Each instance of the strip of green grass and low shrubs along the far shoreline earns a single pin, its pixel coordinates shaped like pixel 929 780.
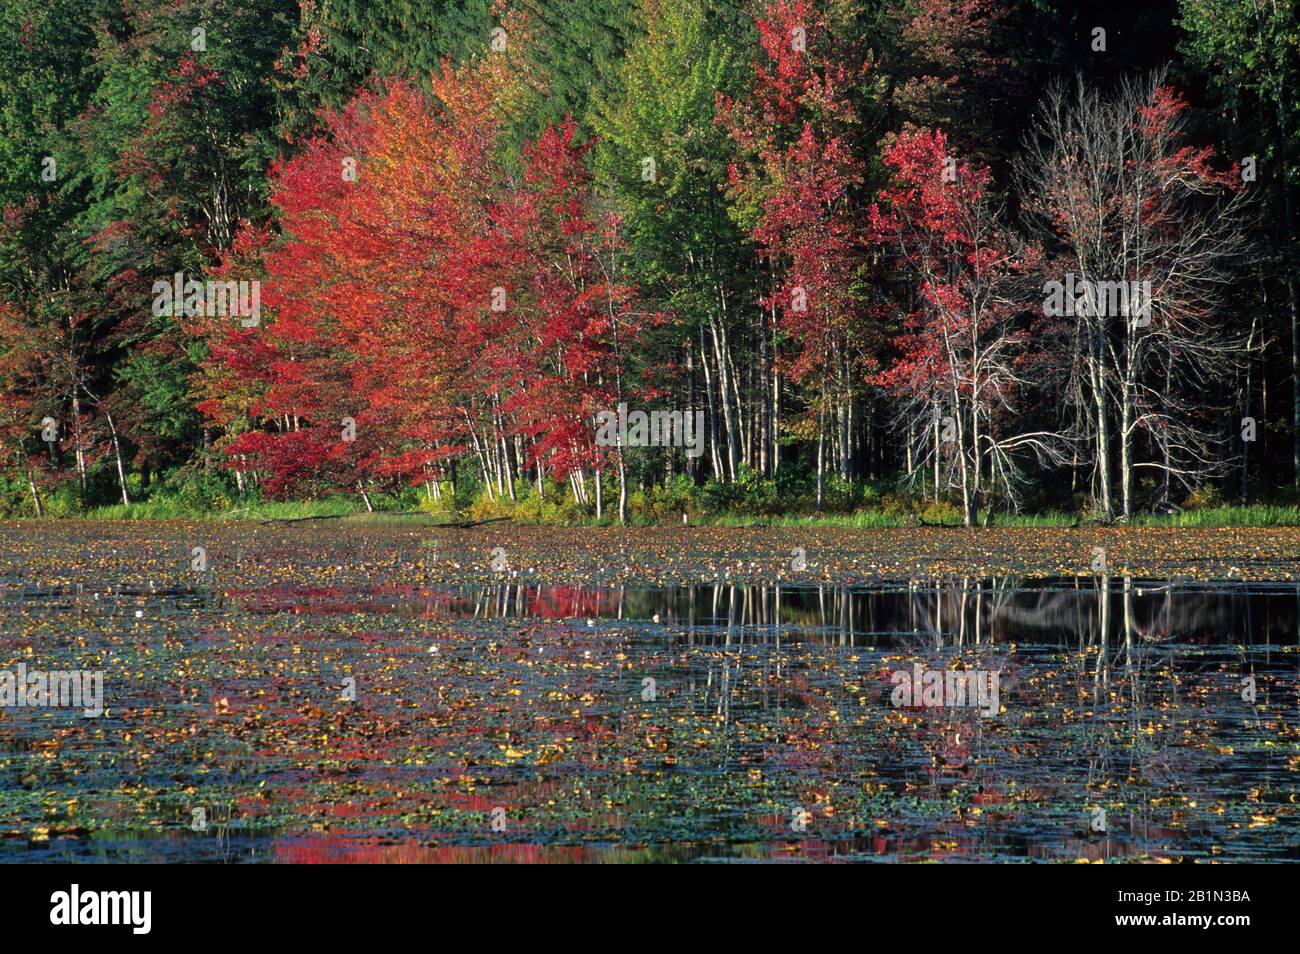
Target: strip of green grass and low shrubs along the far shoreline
pixel 751 501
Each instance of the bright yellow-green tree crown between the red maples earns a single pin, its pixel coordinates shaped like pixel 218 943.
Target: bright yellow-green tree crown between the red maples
pixel 686 249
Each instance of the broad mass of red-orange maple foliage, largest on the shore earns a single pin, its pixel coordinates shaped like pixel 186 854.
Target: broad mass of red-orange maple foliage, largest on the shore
pixel 434 300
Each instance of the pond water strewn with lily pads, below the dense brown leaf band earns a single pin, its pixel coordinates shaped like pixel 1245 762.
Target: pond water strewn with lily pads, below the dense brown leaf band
pixel 1171 706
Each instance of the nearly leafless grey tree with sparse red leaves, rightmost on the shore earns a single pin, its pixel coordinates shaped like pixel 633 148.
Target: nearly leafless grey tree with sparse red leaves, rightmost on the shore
pixel 1146 240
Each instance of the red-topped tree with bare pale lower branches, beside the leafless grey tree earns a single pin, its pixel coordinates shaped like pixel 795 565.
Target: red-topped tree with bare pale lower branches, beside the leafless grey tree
pixel 968 358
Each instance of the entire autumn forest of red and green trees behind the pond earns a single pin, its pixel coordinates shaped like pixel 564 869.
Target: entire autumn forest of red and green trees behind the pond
pixel 942 261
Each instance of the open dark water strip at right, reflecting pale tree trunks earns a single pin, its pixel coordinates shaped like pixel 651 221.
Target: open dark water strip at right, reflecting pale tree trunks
pixel 1058 612
